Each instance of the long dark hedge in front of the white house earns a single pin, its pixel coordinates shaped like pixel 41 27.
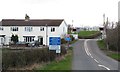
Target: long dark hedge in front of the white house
pixel 21 58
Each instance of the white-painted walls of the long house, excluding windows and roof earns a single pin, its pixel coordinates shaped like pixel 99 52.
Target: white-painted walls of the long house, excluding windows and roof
pixel 35 32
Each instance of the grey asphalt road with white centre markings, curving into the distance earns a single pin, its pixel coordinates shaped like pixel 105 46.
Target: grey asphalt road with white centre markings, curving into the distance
pixel 87 56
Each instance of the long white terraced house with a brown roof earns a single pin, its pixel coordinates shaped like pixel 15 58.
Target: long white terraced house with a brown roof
pixel 29 30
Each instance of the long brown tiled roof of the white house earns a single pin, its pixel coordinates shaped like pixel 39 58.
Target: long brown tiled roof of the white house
pixel 39 22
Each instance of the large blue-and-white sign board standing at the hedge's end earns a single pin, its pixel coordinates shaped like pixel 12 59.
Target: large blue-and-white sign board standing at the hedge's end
pixel 54 44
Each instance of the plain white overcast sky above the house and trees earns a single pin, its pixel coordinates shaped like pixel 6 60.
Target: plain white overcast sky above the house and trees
pixel 75 12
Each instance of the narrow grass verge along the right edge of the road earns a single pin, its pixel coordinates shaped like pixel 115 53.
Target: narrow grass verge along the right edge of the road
pixel 112 54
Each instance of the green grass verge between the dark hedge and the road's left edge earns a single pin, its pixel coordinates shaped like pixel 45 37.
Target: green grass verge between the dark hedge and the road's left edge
pixel 64 64
